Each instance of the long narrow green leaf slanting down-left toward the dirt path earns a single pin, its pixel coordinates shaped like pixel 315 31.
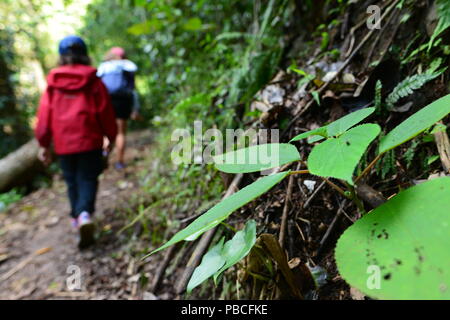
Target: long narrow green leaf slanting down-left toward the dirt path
pixel 223 209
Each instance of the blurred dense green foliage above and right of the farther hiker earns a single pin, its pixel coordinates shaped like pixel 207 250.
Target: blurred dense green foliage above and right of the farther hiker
pixel 197 58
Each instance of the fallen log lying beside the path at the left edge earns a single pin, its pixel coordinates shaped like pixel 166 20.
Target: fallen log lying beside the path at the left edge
pixel 17 167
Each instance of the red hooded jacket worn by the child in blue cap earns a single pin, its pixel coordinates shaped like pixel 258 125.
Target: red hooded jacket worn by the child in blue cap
pixel 75 111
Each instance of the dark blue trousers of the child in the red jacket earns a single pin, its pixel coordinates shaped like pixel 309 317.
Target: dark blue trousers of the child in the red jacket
pixel 81 171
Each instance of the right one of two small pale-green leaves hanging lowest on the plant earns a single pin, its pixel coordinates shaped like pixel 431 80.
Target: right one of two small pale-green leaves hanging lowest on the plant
pixel 238 247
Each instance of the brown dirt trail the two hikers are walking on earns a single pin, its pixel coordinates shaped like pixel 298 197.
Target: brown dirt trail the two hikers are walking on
pixel 38 246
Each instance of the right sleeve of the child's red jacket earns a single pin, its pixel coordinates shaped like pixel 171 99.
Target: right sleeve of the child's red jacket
pixel 106 114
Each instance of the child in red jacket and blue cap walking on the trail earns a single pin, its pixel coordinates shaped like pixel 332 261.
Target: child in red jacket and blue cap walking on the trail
pixel 75 113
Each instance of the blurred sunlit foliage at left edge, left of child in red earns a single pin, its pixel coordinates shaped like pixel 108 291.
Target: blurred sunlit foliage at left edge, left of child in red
pixel 27 52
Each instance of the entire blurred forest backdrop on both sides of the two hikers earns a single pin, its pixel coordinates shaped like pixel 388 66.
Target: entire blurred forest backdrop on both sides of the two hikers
pixel 191 55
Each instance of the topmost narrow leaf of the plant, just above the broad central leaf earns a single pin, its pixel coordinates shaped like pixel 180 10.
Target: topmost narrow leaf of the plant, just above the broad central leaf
pixel 339 126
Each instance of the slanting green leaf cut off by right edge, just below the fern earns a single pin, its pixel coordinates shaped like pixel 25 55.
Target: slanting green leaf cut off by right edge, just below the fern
pixel 416 124
